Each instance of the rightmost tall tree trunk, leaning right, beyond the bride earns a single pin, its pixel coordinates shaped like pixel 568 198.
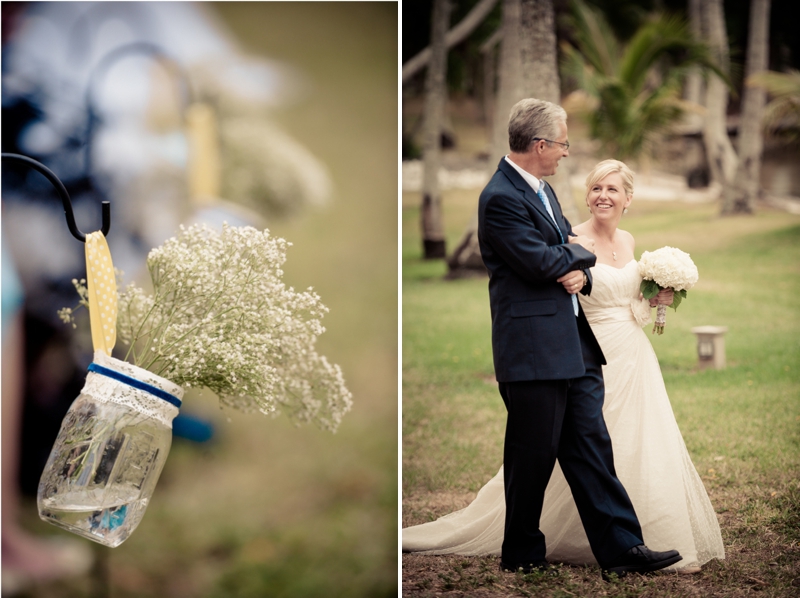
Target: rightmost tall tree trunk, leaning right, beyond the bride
pixel 740 194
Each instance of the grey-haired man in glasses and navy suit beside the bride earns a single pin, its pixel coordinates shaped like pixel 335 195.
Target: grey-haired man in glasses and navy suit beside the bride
pixel 546 358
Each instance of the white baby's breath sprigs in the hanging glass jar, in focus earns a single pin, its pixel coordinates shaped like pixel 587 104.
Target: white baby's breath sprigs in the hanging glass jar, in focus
pixel 220 317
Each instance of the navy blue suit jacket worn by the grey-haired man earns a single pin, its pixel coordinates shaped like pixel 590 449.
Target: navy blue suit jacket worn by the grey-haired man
pixel 535 334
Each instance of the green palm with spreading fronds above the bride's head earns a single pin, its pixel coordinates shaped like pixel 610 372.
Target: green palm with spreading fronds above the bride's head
pixel 630 94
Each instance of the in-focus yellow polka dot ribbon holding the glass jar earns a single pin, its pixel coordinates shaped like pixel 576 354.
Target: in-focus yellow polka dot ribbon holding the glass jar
pixel 102 286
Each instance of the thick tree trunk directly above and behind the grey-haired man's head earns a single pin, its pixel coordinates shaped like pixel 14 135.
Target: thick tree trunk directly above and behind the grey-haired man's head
pixel 540 79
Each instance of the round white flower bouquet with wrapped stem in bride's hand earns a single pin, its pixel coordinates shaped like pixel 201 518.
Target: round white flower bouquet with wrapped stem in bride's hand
pixel 666 268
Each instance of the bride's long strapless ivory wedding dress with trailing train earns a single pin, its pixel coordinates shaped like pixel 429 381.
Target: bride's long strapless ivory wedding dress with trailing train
pixel 649 454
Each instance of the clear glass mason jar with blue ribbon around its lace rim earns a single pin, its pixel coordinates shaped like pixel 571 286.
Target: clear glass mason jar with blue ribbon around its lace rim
pixel 110 451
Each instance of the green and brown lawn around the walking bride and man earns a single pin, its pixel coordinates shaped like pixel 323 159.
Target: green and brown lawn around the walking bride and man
pixel 741 425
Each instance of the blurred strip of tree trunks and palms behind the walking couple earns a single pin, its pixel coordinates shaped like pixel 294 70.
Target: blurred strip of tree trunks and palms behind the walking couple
pixel 674 87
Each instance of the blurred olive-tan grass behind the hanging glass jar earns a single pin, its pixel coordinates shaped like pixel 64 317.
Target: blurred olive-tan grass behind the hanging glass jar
pixel 269 509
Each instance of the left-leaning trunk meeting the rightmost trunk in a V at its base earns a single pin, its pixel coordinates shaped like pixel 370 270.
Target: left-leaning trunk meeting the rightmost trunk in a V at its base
pixel 722 158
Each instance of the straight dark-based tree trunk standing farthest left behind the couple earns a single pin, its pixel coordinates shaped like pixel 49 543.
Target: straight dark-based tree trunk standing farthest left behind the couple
pixel 433 243
